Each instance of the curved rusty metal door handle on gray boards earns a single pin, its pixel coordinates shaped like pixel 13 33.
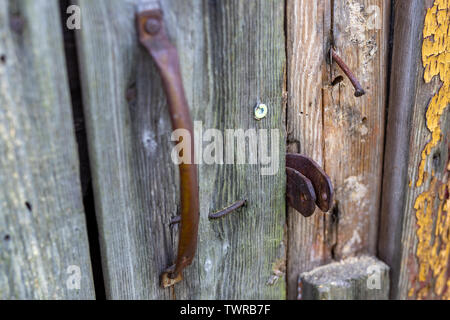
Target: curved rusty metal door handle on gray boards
pixel 154 38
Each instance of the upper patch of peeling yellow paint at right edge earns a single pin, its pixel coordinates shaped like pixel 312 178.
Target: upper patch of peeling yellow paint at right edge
pixel 436 61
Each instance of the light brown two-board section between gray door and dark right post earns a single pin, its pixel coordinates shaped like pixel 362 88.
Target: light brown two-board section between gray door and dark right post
pixel 343 133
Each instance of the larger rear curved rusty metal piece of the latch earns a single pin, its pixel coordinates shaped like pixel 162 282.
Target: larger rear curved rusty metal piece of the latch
pixel 319 179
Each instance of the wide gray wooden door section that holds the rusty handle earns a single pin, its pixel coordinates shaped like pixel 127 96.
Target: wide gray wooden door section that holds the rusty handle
pixel 232 56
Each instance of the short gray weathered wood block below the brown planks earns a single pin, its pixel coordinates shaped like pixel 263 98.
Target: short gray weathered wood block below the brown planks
pixel 358 278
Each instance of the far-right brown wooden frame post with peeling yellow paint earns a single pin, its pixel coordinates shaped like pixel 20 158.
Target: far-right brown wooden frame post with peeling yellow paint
pixel 418 254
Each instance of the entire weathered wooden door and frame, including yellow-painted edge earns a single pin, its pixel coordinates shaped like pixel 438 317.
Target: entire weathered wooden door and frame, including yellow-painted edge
pixel 110 234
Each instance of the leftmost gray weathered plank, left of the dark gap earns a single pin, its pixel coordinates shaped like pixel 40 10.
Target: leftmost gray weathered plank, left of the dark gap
pixel 42 222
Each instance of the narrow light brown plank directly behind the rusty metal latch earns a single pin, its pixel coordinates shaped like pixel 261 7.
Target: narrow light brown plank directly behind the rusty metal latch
pixel 308 27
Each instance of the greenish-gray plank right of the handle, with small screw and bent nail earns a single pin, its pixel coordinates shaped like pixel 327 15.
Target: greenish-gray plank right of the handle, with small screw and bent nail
pixel 246 60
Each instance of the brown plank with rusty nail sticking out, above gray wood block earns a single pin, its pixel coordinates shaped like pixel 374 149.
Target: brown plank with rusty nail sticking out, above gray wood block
pixel 355 126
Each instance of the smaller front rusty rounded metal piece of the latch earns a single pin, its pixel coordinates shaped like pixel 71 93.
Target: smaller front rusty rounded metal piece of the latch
pixel 300 192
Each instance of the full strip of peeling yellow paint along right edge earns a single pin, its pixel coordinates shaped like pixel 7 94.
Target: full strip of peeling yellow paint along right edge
pixel 433 206
